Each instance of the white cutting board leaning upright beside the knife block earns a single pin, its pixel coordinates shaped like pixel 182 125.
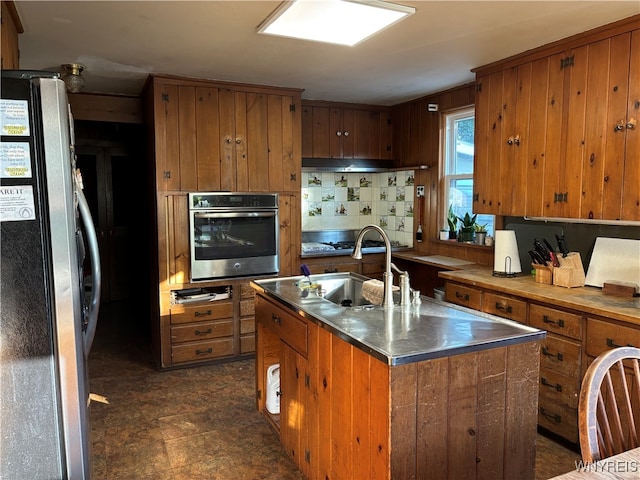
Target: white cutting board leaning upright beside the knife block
pixel 614 259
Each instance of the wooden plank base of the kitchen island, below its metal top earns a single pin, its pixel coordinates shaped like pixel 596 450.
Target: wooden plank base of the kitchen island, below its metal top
pixel 346 414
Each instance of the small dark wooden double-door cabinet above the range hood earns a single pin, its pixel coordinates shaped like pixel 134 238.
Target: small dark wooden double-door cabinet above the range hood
pixel 334 131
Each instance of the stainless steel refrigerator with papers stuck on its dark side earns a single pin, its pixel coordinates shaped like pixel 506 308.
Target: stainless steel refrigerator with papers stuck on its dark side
pixel 49 292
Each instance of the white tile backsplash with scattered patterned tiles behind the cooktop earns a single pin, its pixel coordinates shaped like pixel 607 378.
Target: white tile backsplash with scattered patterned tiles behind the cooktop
pixel 349 201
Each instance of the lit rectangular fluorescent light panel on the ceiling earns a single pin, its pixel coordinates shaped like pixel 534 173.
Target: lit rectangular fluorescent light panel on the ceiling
pixel 345 22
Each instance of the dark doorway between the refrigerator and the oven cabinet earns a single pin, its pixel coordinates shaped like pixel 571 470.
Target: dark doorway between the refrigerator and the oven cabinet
pixel 113 168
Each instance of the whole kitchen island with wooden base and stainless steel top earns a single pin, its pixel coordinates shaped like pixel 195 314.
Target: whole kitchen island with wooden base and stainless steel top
pixel 417 391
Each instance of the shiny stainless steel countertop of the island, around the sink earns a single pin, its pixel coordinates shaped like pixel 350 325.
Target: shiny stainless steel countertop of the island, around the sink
pixel 402 335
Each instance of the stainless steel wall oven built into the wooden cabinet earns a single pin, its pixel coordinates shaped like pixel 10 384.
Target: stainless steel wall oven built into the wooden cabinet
pixel 233 234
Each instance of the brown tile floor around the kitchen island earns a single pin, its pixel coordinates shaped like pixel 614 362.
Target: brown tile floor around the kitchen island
pixel 195 423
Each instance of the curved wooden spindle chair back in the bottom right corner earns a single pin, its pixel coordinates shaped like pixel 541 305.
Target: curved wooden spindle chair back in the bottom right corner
pixel 609 406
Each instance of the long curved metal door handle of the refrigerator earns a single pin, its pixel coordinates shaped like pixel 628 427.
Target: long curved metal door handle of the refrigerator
pixel 96 277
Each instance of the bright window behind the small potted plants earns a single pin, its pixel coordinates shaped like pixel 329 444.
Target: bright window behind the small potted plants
pixel 458 166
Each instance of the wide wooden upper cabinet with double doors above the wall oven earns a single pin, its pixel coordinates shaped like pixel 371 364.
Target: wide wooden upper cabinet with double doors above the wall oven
pixel 210 136
